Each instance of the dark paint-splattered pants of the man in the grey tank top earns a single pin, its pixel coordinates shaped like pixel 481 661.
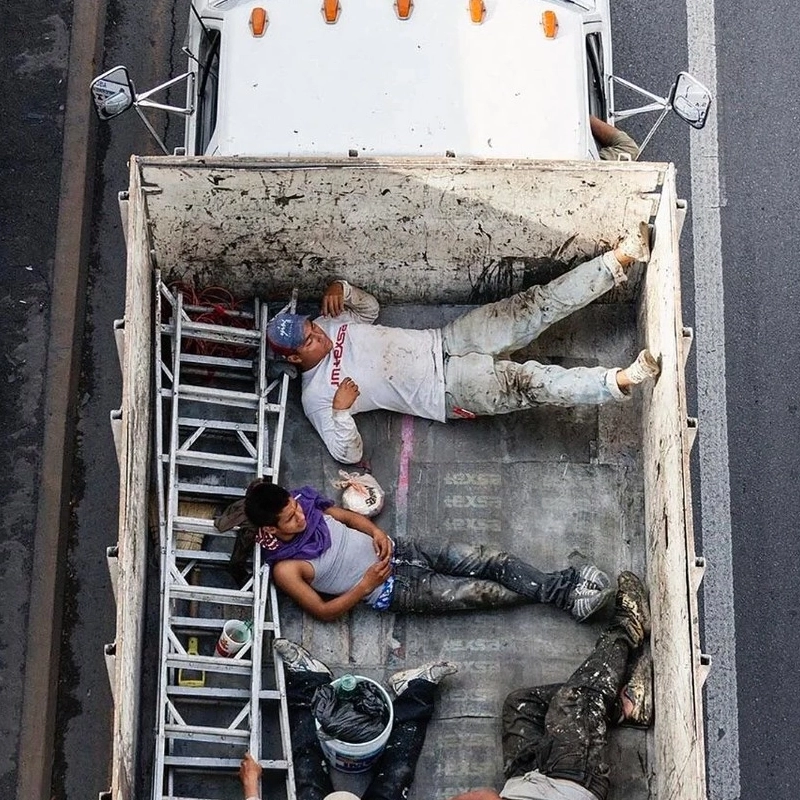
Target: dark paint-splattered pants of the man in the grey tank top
pixel 461 577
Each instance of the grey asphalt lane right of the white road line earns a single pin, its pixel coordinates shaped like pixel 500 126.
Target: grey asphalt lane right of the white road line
pixel 759 209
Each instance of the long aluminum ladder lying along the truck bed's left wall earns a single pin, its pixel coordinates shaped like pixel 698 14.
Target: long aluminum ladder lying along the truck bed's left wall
pixel 211 441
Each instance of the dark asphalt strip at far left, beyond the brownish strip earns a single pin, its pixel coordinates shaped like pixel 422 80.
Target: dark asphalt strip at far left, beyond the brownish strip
pixel 32 91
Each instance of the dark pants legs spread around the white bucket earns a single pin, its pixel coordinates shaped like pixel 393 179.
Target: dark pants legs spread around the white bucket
pixel 394 772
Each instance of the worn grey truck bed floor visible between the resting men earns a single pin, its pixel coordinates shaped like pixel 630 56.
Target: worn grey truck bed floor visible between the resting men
pixel 556 486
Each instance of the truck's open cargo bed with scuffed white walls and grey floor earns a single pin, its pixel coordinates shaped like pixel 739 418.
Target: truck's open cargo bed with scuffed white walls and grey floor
pixel 607 485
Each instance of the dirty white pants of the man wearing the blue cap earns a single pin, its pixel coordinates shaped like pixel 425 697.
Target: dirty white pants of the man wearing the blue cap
pixel 478 382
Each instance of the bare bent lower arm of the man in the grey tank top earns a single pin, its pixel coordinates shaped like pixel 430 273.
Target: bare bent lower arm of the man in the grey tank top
pixel 294 577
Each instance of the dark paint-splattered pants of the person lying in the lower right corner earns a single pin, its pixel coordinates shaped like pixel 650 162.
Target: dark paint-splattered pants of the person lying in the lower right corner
pixel 561 730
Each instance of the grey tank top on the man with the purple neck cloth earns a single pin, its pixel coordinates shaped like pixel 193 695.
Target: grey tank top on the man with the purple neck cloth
pixel 344 563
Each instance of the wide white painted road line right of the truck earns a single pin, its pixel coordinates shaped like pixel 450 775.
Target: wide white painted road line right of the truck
pixel 722 730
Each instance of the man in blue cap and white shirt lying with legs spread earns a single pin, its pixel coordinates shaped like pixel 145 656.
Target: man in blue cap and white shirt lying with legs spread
pixel 349 365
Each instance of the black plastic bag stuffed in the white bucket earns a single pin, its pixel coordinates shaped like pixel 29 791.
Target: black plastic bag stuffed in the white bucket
pixel 356 718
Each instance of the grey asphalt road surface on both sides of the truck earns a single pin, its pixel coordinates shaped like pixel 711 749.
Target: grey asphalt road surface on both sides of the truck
pixel 753 416
